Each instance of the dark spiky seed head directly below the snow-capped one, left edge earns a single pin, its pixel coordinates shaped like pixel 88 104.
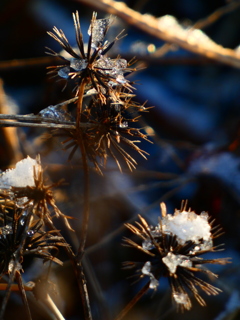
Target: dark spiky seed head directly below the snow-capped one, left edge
pixel 20 237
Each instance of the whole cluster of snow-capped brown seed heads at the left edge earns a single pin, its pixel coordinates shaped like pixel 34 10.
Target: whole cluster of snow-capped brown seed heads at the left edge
pixel 25 203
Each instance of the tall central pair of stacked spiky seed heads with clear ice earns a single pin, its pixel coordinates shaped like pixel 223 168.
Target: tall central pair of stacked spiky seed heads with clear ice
pixel 103 125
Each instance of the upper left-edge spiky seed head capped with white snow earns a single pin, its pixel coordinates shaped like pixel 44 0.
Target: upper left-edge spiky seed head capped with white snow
pixel 25 186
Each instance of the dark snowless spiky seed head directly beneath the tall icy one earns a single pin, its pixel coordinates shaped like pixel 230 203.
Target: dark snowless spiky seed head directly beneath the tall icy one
pixel 107 133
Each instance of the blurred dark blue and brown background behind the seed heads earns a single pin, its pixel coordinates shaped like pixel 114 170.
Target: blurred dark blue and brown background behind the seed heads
pixel 195 154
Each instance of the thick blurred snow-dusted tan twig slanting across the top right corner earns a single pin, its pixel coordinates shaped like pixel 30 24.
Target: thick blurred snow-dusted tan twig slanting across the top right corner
pixel 171 33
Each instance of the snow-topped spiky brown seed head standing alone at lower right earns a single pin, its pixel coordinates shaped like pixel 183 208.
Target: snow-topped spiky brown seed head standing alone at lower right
pixel 174 249
